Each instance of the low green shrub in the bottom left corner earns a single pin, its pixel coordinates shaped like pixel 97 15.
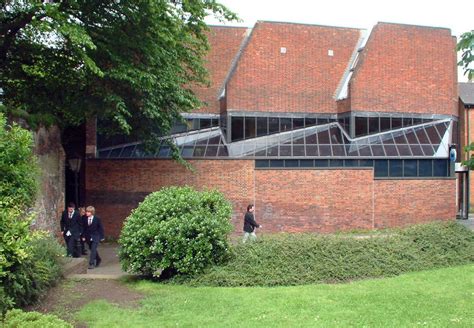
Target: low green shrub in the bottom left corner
pixel 17 318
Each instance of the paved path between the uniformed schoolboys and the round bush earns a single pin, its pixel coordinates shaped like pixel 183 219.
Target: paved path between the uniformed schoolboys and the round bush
pixel 109 267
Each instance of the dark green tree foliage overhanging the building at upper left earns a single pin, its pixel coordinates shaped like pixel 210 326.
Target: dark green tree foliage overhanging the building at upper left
pixel 130 62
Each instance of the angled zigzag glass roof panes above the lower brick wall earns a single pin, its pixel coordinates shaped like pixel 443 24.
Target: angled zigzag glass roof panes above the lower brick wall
pixel 427 140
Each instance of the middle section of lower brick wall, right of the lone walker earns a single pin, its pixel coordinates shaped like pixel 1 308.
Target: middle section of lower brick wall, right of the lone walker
pixel 314 200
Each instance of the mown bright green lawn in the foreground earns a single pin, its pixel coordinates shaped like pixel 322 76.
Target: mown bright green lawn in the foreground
pixel 437 298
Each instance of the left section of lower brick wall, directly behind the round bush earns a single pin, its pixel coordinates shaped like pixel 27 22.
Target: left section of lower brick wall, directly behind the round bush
pixel 115 187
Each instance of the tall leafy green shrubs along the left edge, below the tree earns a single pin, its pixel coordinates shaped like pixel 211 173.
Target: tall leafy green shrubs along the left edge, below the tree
pixel 28 263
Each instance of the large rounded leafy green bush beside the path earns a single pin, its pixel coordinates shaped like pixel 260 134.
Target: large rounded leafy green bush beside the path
pixel 178 230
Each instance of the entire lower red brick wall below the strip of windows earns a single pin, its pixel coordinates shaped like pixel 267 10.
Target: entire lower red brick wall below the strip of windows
pixel 286 200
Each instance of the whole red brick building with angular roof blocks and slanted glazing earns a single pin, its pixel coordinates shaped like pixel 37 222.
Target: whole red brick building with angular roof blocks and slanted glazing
pixel 322 128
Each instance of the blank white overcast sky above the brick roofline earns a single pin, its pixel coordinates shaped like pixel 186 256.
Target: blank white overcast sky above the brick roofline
pixel 456 15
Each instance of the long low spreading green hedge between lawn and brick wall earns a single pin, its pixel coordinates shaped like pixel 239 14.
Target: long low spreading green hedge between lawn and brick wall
pixel 297 259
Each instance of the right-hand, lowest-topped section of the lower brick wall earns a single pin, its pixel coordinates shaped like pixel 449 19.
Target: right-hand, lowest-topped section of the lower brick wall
pixel 403 202
